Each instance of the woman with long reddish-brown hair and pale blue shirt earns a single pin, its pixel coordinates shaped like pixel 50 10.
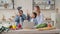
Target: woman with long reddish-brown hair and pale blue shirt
pixel 39 15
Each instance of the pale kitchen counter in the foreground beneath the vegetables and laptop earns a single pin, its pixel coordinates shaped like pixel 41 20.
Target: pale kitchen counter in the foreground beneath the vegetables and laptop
pixel 32 31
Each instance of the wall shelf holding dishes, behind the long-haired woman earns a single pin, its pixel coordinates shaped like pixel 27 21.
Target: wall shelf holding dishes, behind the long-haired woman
pixel 44 6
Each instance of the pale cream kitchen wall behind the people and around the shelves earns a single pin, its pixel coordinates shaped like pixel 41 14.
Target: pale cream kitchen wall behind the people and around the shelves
pixel 26 4
